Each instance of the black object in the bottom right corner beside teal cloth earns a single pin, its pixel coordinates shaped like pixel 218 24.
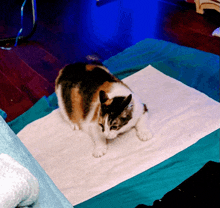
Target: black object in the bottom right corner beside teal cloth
pixel 200 190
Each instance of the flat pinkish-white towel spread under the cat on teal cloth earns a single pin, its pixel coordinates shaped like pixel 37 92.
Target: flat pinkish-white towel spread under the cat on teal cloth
pixel 178 116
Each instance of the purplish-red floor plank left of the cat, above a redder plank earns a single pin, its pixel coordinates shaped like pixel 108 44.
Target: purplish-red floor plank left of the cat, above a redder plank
pixel 23 76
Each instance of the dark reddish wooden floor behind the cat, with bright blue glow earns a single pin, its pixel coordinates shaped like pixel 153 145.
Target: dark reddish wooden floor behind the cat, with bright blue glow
pixel 69 30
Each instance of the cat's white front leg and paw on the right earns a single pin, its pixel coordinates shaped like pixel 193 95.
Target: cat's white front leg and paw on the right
pixel 142 130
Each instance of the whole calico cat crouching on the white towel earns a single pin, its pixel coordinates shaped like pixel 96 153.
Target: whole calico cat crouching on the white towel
pixel 91 99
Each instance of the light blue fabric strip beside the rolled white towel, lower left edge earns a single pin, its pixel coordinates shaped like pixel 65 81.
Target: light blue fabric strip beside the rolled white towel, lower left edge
pixel 10 144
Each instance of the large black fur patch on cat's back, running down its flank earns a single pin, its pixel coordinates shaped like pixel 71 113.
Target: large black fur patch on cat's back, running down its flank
pixel 87 81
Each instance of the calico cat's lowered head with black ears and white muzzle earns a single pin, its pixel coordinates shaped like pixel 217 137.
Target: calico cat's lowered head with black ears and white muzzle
pixel 114 114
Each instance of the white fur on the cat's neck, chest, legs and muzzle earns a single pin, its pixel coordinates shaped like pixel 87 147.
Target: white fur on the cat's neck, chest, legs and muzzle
pixel 93 129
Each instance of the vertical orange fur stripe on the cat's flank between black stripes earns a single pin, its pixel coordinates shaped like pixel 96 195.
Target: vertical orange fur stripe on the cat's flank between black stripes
pixel 77 109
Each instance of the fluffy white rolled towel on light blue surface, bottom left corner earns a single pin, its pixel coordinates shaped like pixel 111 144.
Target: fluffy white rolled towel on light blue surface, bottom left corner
pixel 18 187
